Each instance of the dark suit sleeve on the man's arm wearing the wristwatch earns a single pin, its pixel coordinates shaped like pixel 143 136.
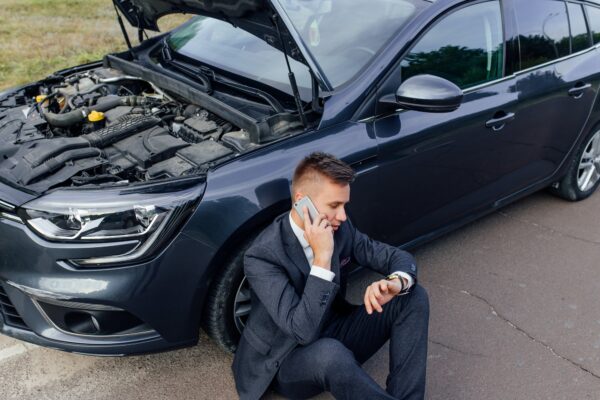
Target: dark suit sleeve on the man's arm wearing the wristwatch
pixel 380 257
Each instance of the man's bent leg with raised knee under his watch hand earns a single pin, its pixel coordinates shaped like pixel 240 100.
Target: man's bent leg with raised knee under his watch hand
pixel 405 322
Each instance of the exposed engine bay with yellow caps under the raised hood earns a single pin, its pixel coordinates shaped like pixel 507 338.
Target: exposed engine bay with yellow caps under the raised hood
pixel 103 126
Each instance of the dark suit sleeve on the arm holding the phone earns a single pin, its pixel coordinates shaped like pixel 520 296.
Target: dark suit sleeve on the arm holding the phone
pixel 301 317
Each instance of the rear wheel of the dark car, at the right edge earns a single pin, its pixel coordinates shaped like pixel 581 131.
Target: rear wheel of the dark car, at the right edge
pixel 583 176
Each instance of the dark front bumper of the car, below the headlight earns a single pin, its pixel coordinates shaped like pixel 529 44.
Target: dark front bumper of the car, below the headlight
pixel 165 294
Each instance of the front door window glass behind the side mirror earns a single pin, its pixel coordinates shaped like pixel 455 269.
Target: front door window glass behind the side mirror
pixel 466 47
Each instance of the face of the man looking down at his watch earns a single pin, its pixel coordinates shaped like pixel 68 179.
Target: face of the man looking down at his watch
pixel 329 198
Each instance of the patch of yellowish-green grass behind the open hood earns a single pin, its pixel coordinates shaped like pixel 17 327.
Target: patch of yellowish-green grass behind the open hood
pixel 38 37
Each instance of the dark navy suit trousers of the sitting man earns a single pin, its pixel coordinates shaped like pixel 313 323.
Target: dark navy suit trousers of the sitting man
pixel 333 362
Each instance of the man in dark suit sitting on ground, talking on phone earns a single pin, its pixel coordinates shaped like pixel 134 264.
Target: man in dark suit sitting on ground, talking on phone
pixel 301 334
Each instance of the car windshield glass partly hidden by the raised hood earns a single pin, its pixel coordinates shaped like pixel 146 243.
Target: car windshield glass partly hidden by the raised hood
pixel 342 36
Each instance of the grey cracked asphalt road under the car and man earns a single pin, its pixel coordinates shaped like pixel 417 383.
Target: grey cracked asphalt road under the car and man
pixel 514 315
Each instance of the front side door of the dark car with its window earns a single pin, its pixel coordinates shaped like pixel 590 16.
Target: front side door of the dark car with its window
pixel 438 168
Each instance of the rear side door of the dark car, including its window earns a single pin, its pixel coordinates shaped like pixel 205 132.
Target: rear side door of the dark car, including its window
pixel 556 83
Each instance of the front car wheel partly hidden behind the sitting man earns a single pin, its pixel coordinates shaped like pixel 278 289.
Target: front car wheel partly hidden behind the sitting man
pixel 228 304
